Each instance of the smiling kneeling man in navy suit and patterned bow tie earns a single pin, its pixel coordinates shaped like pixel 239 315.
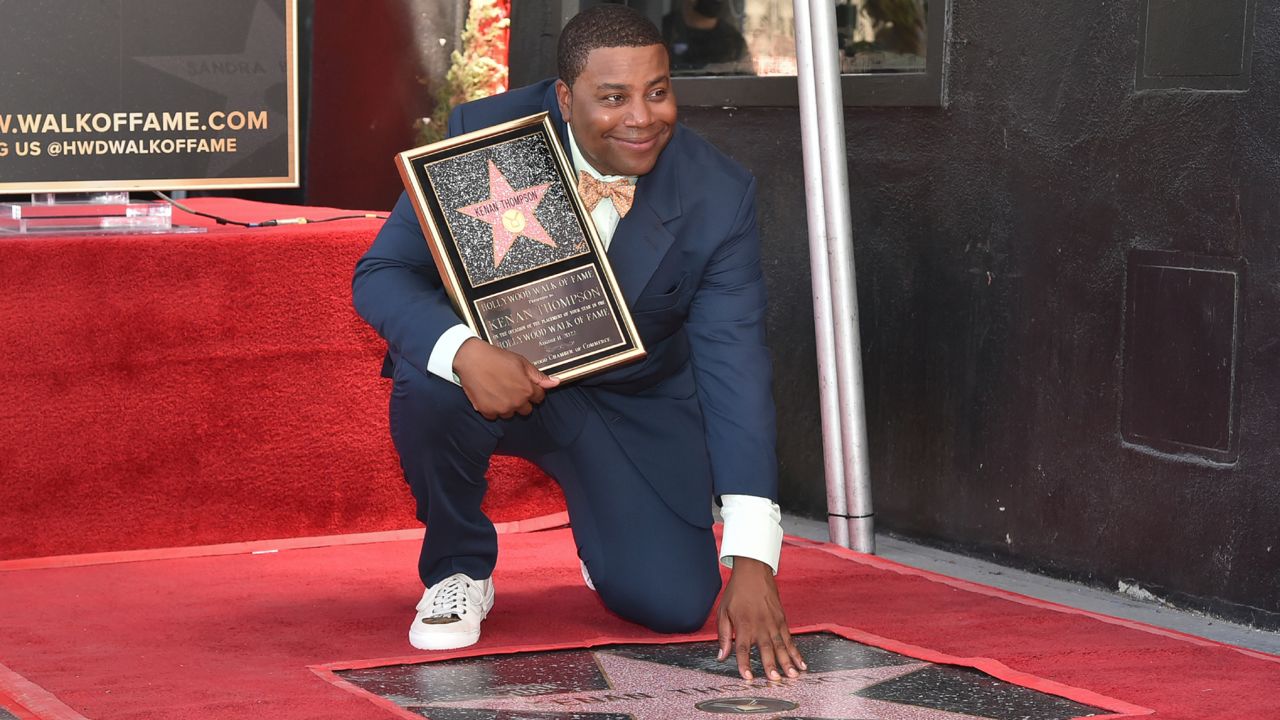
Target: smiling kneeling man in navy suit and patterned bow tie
pixel 641 450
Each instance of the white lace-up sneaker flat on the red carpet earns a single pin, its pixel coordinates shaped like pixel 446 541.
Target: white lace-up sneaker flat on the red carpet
pixel 450 613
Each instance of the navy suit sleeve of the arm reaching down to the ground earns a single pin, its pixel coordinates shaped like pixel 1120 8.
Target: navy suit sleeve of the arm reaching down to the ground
pixel 732 363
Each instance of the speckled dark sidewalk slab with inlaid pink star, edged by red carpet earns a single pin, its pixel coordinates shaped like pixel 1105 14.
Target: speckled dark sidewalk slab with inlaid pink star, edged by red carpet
pixel 847 681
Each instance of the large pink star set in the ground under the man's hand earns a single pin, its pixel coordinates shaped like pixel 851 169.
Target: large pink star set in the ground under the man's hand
pixel 651 691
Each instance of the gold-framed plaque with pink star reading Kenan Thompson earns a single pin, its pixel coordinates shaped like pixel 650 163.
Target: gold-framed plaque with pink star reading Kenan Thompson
pixel 516 248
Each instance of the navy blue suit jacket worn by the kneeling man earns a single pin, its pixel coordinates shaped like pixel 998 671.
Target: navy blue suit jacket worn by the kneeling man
pixel 697 414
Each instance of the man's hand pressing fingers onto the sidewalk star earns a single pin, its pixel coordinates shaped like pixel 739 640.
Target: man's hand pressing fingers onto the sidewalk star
pixel 751 614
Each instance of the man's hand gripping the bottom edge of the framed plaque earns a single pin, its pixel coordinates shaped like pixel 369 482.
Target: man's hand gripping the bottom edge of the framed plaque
pixel 499 382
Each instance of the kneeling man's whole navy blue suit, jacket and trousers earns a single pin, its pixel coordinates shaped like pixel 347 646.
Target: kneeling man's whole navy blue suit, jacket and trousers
pixel 641 450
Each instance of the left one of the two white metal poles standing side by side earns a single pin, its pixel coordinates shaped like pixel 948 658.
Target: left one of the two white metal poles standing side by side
pixel 825 334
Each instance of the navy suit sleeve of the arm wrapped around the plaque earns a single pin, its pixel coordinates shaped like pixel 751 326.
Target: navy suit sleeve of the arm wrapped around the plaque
pixel 397 288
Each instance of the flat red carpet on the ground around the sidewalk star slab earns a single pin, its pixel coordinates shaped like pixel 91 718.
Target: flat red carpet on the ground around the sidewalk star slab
pixel 234 636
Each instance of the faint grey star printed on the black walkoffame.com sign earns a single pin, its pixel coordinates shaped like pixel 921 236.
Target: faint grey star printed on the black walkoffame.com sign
pixel 243 79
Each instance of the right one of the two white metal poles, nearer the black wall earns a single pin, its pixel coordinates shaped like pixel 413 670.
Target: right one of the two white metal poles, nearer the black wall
pixel 849 358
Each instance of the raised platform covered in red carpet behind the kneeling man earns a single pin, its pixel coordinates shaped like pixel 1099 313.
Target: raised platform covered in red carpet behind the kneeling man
pixel 200 389
